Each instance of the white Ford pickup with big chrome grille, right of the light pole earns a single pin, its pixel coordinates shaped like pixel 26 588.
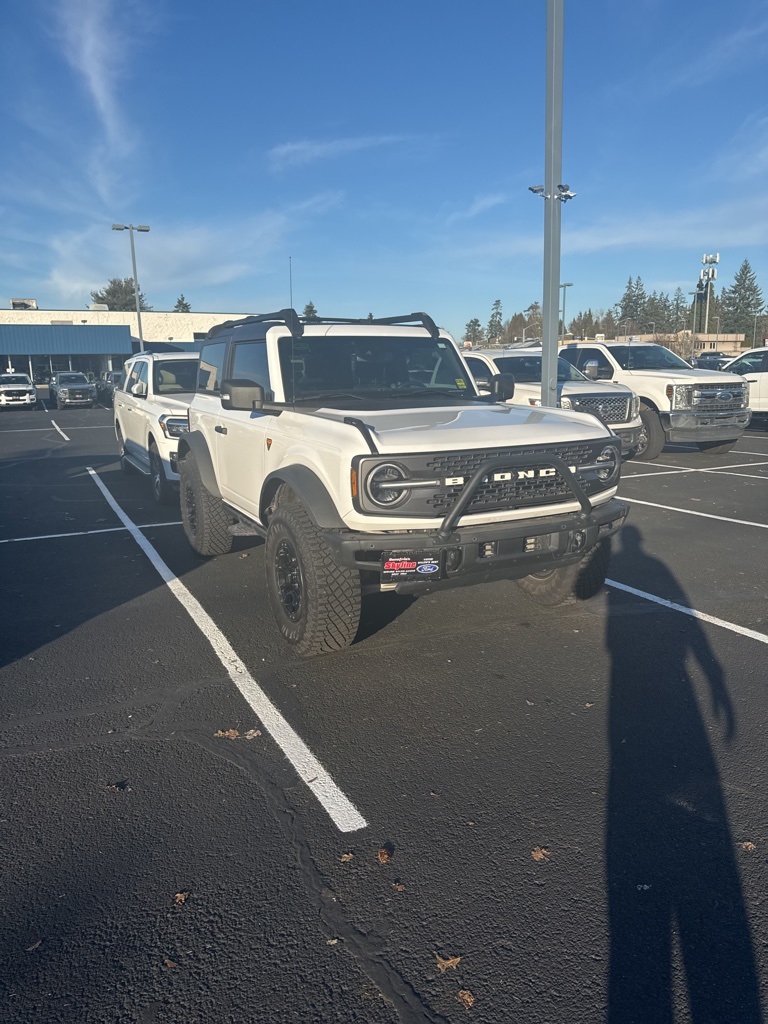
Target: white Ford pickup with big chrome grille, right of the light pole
pixel 677 403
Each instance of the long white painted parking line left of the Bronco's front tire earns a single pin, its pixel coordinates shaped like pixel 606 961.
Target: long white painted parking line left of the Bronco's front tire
pixel 344 814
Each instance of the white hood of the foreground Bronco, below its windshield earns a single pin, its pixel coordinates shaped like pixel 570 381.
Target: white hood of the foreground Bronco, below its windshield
pixel 452 429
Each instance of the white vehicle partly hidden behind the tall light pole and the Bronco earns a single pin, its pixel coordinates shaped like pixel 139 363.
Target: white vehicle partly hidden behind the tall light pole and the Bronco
pixel 614 404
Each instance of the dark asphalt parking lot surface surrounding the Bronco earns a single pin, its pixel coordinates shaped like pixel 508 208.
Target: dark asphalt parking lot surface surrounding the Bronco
pixel 482 812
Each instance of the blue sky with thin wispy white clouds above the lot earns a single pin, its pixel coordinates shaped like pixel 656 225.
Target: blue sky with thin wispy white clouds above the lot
pixel 386 149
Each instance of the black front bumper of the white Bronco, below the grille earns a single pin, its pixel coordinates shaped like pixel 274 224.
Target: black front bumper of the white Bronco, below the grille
pixel 483 554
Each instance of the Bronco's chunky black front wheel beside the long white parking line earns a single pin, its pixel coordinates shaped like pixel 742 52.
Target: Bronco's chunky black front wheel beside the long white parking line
pixel 316 603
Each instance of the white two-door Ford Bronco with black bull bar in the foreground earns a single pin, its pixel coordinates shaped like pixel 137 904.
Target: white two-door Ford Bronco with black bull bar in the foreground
pixel 365 456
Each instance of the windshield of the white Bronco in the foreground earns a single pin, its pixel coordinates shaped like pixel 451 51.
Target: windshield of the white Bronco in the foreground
pixel 361 367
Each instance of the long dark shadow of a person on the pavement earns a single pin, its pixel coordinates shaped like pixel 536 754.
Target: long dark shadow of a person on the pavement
pixel 672 875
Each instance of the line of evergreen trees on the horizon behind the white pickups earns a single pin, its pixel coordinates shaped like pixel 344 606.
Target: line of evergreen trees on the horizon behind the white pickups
pixel 733 312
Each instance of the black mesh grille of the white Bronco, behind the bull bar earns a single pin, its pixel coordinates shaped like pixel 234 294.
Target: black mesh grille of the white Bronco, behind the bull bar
pixel 495 495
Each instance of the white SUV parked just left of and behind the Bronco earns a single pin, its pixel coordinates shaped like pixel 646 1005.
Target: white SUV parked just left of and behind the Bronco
pixel 151 415
